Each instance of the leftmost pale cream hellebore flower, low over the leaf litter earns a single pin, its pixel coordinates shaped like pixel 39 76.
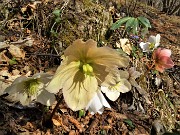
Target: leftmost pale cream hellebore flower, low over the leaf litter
pixel 28 89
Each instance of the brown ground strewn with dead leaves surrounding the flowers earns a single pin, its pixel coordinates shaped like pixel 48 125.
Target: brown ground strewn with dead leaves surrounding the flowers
pixel 34 28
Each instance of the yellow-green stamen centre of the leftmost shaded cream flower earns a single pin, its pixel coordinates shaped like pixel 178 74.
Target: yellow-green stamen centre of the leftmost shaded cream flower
pixel 31 86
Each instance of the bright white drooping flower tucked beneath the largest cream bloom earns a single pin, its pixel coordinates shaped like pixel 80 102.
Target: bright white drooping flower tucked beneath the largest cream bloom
pixel 97 103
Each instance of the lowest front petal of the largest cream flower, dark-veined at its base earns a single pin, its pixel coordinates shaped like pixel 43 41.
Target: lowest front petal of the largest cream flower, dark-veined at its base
pixel 79 90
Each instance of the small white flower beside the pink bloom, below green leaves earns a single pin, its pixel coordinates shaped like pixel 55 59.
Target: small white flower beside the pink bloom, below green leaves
pixel 153 42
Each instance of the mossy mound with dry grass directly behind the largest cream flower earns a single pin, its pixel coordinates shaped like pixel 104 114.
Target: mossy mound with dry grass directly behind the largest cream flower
pixel 88 21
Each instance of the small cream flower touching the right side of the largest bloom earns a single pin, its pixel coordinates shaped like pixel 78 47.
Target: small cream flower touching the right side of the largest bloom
pixel 115 83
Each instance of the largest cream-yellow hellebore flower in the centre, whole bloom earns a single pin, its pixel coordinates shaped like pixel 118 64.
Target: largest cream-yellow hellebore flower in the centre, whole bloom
pixel 84 67
